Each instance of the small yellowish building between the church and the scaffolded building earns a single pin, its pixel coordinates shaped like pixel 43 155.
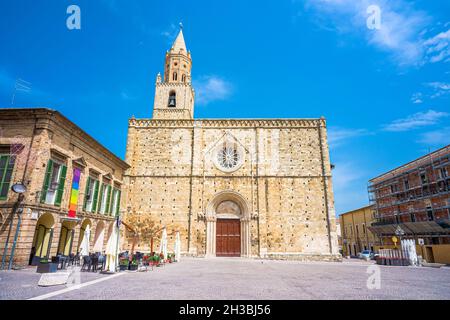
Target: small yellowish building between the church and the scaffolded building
pixel 355 232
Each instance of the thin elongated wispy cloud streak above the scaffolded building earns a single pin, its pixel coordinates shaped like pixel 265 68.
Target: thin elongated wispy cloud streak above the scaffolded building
pixel 417 120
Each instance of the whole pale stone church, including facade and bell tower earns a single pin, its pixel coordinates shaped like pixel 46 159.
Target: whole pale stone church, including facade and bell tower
pixel 231 187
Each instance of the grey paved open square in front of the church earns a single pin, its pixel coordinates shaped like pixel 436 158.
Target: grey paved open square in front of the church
pixel 237 278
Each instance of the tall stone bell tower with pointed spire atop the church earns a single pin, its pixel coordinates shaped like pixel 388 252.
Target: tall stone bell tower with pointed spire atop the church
pixel 174 95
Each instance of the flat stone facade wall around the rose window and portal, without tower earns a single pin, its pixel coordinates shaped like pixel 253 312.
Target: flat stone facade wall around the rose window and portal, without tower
pixel 285 179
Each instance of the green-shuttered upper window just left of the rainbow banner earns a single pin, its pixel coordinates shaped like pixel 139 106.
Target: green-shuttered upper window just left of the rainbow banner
pixel 53 188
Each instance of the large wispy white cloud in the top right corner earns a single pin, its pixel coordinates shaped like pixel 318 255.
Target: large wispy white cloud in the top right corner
pixel 403 31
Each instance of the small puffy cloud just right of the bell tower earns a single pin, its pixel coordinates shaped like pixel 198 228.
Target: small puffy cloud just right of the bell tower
pixel 211 88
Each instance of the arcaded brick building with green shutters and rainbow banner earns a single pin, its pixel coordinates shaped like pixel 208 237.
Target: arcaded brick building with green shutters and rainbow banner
pixel 73 184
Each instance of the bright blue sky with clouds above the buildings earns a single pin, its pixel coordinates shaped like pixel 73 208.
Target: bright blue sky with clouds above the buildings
pixel 385 93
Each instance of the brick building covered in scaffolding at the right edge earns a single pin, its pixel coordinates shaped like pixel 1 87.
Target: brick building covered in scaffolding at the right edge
pixel 413 201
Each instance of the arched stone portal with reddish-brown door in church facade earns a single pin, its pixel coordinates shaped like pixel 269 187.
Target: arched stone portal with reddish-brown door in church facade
pixel 228 226
